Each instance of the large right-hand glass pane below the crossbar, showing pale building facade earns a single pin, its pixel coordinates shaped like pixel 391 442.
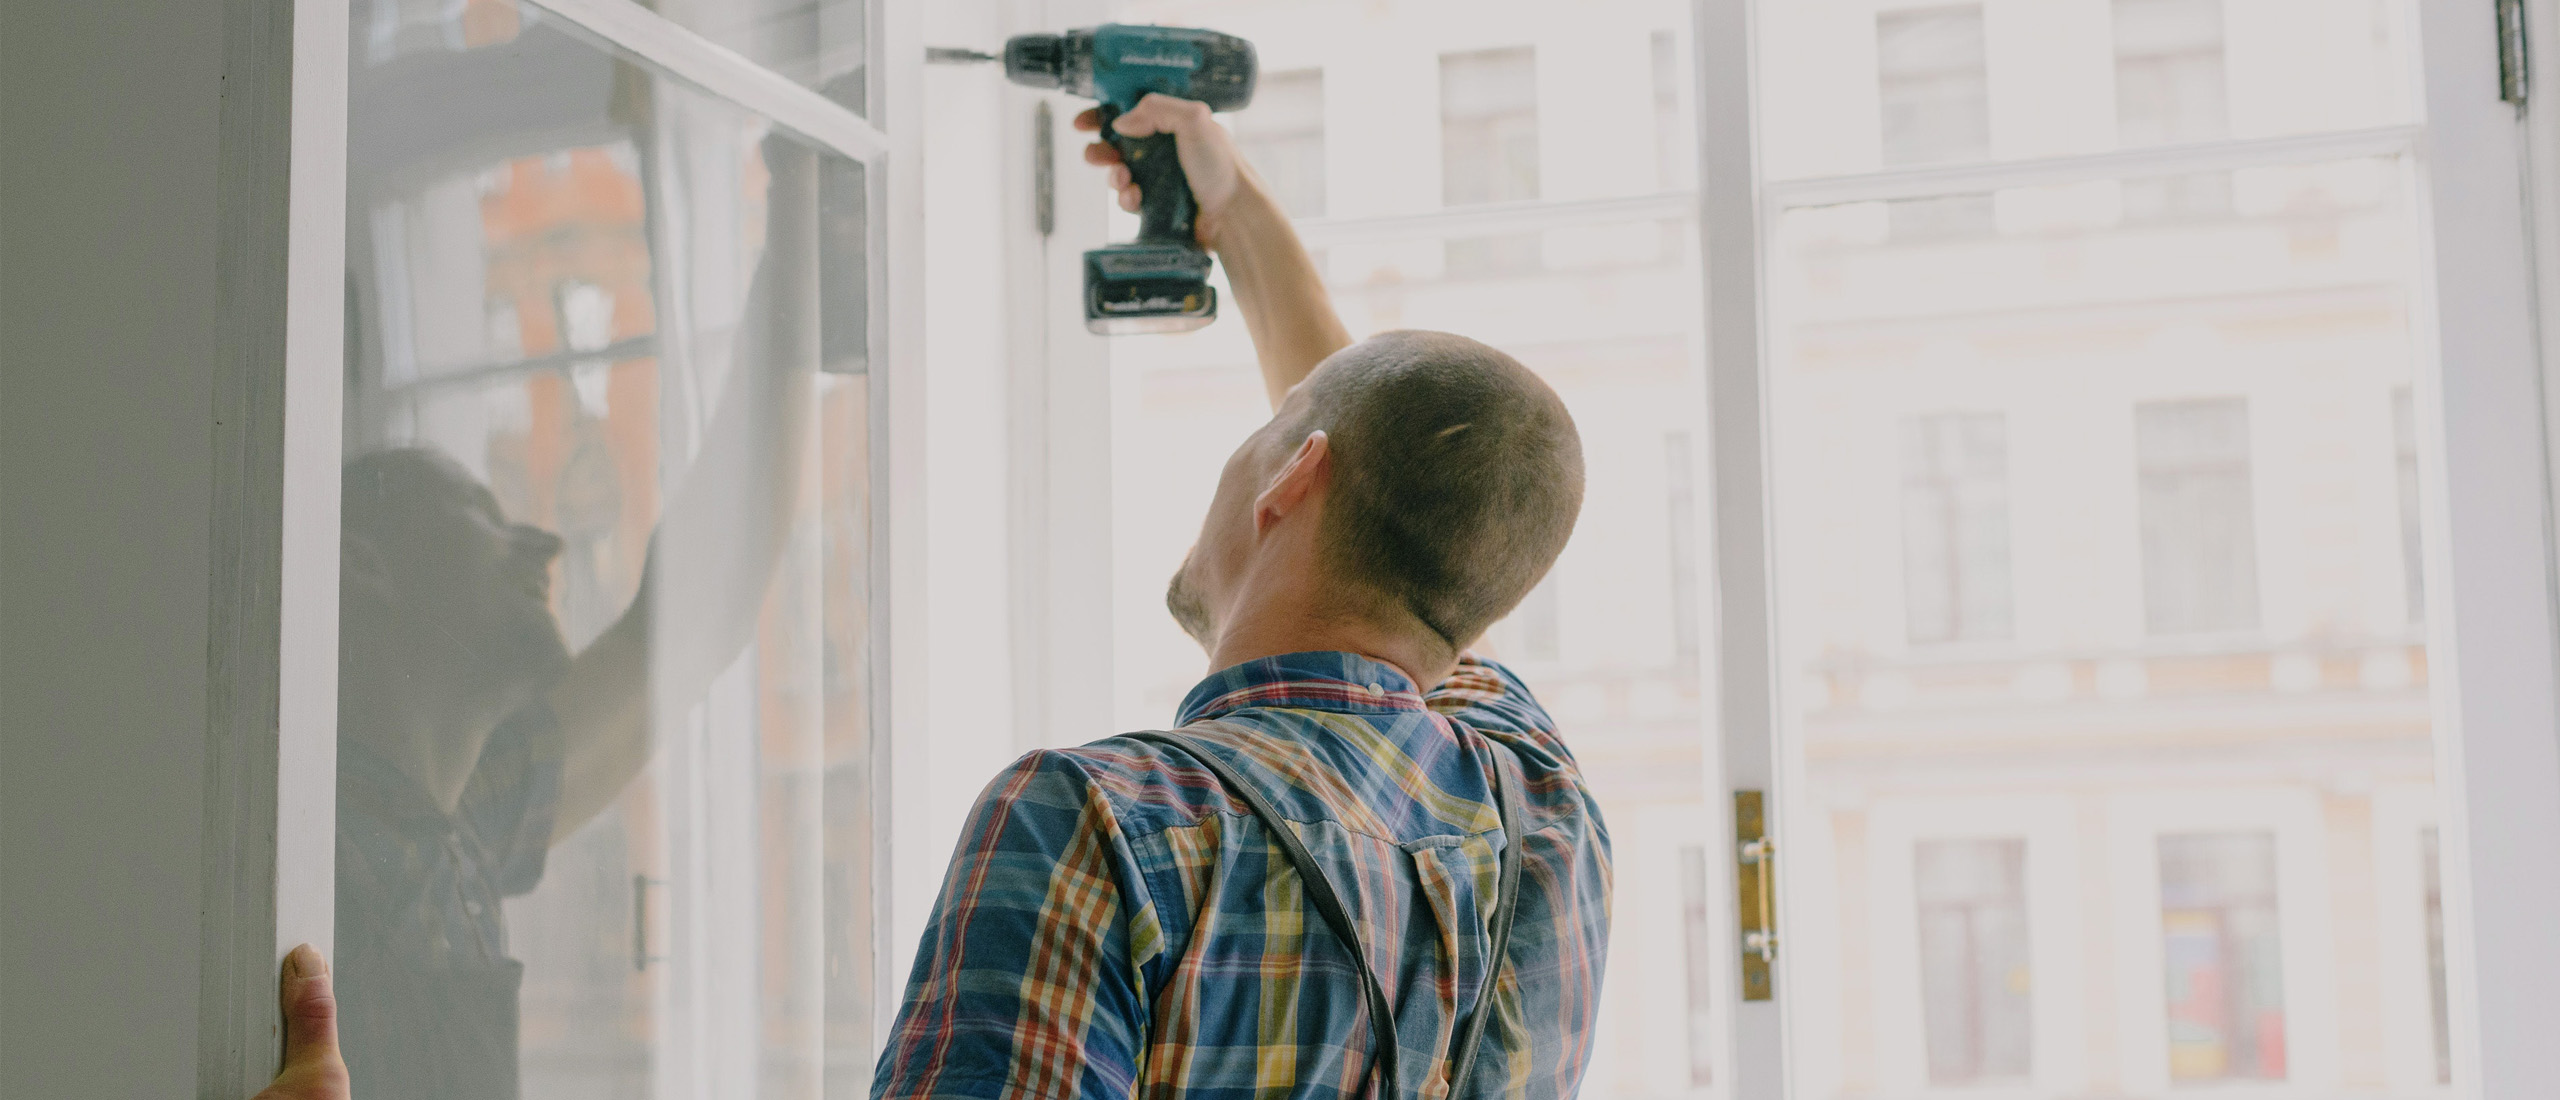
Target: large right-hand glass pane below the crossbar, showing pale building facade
pixel 2149 475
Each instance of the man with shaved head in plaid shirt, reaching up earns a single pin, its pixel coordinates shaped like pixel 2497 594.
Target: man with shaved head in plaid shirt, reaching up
pixel 1120 925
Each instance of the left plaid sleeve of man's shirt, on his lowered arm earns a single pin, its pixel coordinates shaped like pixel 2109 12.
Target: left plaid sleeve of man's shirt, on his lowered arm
pixel 1025 984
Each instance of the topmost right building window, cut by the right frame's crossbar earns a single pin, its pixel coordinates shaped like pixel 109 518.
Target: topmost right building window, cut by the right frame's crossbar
pixel 2170 88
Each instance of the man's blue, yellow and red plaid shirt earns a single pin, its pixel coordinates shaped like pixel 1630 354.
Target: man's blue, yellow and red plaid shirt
pixel 1117 925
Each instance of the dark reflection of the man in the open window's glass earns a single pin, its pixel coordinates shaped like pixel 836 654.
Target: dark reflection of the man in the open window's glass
pixel 472 738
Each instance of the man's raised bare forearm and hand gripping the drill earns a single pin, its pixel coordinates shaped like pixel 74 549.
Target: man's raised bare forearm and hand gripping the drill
pixel 1286 308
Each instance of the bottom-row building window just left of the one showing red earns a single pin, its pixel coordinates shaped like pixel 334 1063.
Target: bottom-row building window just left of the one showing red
pixel 1975 971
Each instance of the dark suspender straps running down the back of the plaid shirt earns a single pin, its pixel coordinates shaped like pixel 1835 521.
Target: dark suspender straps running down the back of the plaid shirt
pixel 1320 892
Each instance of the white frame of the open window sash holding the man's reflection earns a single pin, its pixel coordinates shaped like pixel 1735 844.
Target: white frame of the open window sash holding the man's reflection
pixel 273 799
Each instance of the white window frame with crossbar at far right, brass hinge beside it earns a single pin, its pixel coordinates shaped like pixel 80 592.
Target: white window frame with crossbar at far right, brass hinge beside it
pixel 2490 556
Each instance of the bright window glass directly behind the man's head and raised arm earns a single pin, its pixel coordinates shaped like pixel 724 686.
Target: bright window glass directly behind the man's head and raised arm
pixel 1606 311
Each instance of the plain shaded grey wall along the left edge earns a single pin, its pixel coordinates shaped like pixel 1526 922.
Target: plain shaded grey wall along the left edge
pixel 109 152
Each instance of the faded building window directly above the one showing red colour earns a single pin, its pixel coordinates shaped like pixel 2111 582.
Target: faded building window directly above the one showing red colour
pixel 2200 546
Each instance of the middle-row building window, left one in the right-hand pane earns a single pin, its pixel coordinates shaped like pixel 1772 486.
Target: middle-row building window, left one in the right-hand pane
pixel 1957 528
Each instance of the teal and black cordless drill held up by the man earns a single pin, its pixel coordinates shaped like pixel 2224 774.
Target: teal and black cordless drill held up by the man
pixel 1161 280
